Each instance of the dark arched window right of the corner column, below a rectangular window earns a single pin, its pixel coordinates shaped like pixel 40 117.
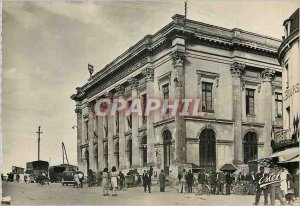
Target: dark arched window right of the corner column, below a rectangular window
pixel 207 149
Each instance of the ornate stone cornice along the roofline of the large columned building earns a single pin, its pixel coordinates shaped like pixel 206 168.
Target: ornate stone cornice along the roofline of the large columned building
pixel 130 61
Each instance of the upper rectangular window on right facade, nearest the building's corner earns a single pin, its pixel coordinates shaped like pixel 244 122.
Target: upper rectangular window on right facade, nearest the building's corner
pixel 207 101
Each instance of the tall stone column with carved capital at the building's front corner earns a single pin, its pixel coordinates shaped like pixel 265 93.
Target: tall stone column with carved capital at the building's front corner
pixel 178 57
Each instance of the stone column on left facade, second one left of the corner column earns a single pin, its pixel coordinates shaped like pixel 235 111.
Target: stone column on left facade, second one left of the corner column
pixel 135 124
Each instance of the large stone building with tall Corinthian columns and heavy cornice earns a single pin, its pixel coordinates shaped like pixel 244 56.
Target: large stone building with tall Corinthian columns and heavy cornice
pixel 234 73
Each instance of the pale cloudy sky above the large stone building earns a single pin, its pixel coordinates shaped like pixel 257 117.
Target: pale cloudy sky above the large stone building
pixel 47 46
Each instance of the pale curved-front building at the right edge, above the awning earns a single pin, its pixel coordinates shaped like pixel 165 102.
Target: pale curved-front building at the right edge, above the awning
pixel 288 56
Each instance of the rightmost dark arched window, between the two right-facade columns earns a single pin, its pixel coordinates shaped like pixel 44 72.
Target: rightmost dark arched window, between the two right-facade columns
pixel 250 146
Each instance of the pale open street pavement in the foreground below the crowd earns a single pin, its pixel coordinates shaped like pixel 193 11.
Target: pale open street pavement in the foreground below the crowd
pixel 56 194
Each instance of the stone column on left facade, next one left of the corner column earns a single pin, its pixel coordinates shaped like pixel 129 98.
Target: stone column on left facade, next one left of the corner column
pixel 149 75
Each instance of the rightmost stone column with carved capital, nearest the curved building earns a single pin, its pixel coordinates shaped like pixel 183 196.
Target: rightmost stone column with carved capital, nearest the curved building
pixel 267 77
